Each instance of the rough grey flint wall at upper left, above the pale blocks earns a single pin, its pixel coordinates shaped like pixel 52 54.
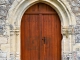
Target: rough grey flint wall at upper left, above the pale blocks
pixel 4 7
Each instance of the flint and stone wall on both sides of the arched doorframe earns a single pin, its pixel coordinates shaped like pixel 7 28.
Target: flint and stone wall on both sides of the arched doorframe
pixel 5 53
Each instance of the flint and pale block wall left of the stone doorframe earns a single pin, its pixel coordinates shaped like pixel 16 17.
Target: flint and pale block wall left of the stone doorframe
pixel 4 43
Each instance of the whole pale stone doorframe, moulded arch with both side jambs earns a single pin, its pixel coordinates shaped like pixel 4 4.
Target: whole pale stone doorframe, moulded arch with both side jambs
pixel 14 18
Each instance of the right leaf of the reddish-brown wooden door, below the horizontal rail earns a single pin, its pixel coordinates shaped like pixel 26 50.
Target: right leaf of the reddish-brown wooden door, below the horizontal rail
pixel 51 32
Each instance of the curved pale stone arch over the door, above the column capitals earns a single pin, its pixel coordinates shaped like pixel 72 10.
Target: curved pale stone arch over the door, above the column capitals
pixel 19 7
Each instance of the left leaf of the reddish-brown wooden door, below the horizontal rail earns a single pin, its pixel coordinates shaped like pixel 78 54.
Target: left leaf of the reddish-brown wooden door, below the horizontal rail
pixel 31 37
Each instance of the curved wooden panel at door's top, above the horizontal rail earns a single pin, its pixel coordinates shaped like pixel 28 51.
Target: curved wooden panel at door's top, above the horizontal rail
pixel 39 7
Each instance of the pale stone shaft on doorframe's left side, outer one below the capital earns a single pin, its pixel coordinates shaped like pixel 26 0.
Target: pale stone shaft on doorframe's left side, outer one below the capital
pixel 13 45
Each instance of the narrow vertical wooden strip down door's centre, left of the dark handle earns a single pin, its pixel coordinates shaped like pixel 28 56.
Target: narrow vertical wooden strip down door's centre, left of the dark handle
pixel 42 53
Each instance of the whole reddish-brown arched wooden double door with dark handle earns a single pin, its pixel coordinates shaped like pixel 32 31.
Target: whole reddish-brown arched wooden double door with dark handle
pixel 40 34
